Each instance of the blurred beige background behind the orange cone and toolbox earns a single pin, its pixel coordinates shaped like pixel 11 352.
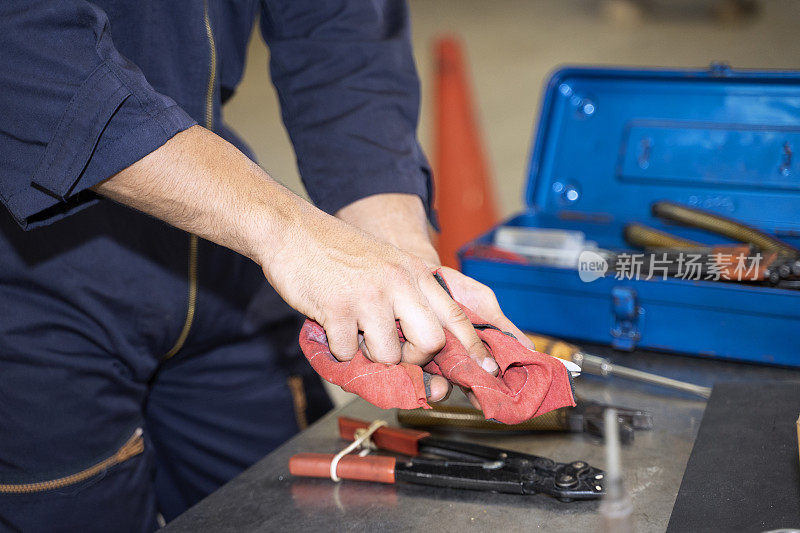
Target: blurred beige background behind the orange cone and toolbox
pixel 512 45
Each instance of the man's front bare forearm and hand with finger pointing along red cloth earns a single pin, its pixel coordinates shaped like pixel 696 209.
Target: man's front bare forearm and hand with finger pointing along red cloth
pixel 342 277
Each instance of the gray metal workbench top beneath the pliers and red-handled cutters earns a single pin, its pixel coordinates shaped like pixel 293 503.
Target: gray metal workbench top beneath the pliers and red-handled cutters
pixel 267 498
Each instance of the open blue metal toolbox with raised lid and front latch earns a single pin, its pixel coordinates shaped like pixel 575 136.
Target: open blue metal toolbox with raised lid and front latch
pixel 612 141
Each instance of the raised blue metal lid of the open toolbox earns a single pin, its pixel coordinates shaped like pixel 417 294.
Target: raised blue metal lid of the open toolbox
pixel 612 141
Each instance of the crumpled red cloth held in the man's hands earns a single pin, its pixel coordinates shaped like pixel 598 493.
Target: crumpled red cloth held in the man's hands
pixel 529 383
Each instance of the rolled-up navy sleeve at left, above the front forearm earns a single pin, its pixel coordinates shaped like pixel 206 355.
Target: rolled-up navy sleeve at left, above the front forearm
pixel 74 111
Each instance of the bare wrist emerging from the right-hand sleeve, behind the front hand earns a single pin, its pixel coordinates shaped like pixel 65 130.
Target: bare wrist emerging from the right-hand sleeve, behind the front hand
pixel 399 219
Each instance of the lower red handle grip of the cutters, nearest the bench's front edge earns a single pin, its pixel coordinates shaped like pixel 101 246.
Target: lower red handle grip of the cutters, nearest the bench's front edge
pixel 378 468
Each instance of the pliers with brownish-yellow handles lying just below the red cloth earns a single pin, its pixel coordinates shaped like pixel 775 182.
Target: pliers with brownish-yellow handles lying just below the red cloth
pixel 585 417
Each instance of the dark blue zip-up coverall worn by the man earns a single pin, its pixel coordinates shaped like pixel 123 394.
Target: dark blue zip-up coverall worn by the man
pixel 95 295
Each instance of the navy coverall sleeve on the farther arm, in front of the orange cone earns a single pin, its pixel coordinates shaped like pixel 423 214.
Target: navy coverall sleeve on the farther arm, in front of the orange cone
pixel 349 96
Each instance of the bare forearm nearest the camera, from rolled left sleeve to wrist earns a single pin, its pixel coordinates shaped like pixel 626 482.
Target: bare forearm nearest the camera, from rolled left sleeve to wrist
pixel 200 183
